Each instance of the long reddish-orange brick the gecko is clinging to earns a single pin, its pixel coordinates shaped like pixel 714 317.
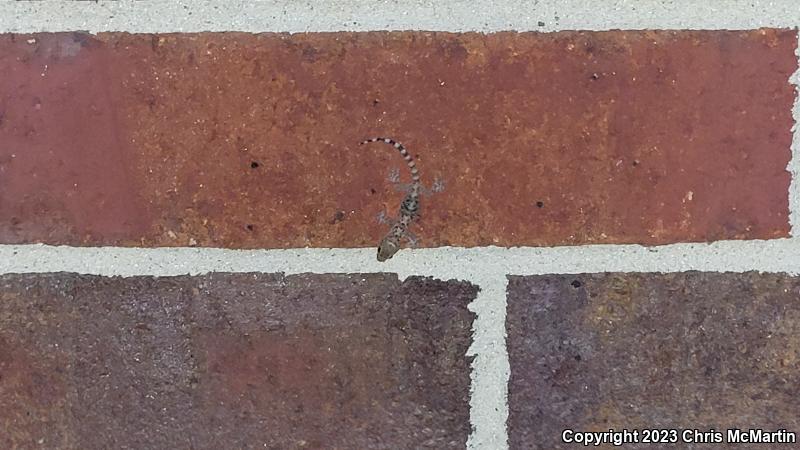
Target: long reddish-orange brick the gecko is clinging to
pixel 240 140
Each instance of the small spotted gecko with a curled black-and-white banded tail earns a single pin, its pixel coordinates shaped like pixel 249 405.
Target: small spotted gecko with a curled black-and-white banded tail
pixel 409 207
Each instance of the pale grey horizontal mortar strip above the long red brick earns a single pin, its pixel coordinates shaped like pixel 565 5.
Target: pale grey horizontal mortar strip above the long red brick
pixel 378 15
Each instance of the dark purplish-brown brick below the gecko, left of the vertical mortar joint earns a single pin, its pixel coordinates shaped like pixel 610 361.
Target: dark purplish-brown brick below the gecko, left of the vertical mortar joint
pixel 234 361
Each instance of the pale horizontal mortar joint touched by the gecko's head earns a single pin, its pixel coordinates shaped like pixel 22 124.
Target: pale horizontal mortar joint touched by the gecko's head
pixel 476 263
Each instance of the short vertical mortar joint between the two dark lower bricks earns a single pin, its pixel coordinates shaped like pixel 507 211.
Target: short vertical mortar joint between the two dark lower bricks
pixel 488 403
